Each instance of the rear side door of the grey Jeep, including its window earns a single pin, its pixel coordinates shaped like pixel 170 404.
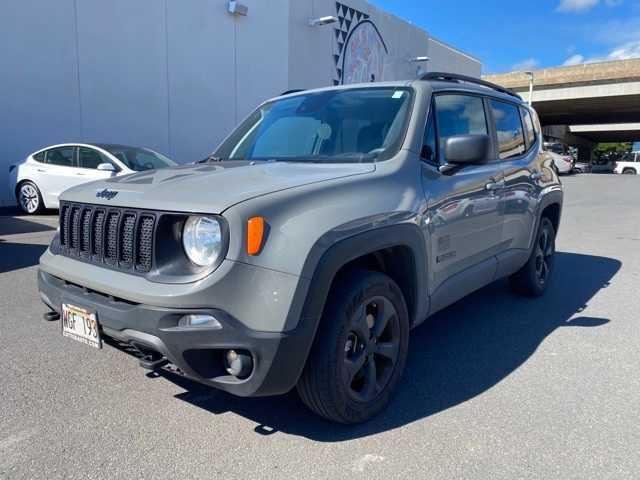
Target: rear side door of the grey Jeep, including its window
pixel 522 162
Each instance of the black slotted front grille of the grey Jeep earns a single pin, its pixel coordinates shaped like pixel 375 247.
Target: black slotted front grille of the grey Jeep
pixel 118 237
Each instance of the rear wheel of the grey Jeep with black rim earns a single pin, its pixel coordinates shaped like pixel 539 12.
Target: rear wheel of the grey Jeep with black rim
pixel 533 279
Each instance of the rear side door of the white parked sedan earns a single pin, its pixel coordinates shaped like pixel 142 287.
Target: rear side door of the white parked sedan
pixel 57 173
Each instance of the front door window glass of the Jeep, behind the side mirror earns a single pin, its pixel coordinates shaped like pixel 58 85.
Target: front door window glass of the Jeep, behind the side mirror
pixel 459 115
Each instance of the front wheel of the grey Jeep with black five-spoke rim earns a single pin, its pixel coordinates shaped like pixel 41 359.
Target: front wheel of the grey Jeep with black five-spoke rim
pixel 363 335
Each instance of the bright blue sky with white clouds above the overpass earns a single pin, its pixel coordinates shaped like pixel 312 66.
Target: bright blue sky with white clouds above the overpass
pixel 521 35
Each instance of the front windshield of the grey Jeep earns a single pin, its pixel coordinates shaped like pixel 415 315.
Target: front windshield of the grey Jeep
pixel 356 125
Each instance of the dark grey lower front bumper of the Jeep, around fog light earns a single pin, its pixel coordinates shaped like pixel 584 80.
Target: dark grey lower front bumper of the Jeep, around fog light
pixel 197 353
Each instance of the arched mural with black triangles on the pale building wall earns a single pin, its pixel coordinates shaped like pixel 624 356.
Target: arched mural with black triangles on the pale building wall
pixel 360 49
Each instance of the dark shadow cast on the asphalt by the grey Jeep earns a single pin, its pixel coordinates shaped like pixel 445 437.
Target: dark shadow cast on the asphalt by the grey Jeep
pixel 456 355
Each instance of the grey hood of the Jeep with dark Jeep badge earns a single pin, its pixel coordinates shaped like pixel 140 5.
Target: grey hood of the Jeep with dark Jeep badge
pixel 208 188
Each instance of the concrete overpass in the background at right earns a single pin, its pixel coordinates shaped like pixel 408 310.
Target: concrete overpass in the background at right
pixel 599 102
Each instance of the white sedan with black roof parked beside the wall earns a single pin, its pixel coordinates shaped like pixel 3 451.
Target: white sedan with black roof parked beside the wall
pixel 39 180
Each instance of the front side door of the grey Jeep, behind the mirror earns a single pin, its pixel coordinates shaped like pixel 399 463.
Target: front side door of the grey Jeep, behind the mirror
pixel 464 207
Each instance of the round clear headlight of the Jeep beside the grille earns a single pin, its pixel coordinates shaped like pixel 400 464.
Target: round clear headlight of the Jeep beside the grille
pixel 202 240
